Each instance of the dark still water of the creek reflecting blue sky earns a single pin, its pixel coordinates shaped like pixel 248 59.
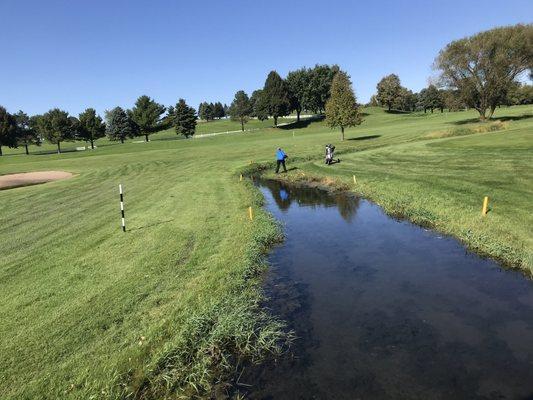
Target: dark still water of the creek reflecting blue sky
pixel 387 310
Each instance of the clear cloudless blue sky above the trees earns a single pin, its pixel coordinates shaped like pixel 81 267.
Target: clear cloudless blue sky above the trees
pixel 75 54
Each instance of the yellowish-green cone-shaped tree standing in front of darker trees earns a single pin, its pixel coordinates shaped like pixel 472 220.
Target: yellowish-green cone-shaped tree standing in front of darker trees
pixel 341 108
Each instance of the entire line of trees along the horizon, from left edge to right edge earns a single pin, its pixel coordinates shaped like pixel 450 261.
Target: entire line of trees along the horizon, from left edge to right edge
pixel 482 72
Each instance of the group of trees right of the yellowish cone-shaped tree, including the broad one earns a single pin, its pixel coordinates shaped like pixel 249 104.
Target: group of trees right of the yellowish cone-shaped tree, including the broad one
pixel 483 72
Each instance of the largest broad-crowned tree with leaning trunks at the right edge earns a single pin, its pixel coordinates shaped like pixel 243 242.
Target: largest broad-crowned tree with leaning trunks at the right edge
pixel 483 67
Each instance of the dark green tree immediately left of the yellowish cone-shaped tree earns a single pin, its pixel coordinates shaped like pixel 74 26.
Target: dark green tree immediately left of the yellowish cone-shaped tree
pixel 318 88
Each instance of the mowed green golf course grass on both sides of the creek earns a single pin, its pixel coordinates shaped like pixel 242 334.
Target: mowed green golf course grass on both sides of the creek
pixel 88 310
